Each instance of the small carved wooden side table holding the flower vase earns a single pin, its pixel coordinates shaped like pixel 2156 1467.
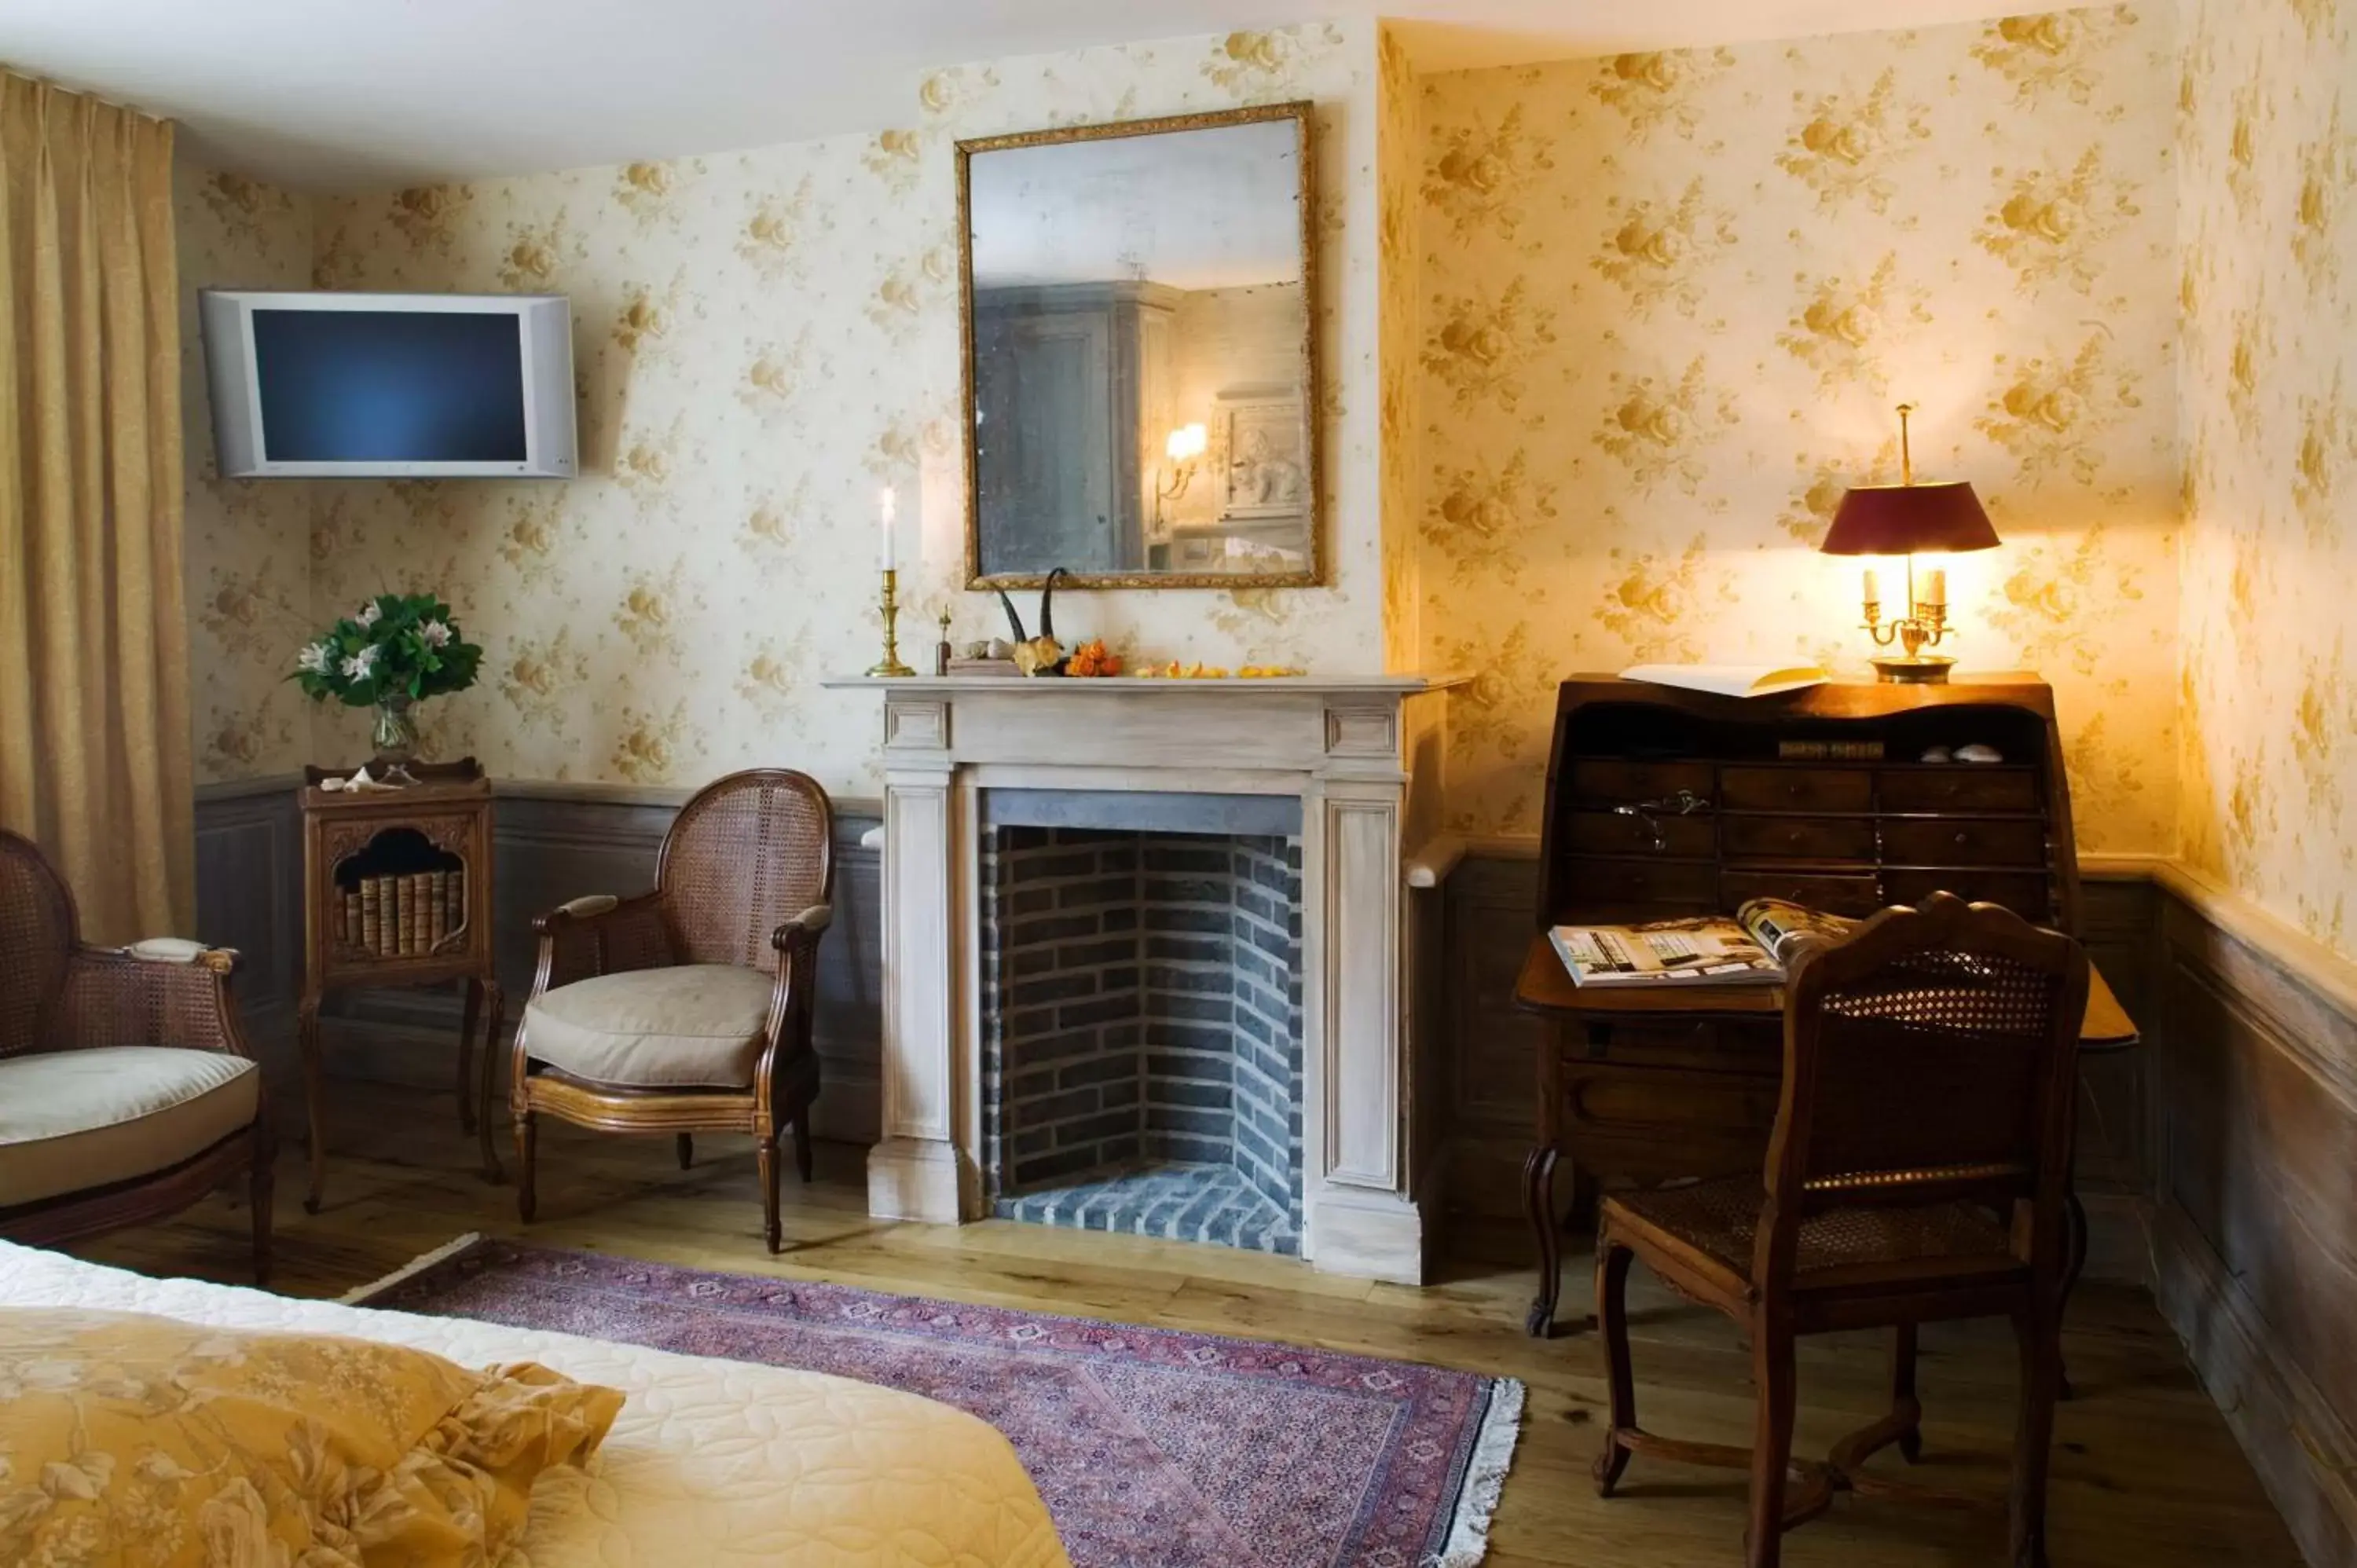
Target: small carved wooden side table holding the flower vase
pixel 397 892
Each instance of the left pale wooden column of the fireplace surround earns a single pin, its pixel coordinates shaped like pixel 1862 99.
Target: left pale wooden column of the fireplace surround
pixel 916 1171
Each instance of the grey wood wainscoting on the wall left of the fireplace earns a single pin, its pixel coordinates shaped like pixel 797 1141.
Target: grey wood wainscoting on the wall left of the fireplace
pixel 553 843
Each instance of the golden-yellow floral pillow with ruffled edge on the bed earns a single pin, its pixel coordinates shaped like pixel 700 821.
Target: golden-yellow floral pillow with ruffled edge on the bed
pixel 161 1444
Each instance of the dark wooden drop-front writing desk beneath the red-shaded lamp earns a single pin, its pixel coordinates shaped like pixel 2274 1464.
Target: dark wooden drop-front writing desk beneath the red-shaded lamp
pixel 1668 803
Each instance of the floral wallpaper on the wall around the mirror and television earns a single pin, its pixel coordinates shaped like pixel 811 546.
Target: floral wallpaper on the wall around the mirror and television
pixel 762 341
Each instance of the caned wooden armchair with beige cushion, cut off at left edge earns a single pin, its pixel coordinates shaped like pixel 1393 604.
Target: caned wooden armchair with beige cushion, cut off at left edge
pixel 126 1083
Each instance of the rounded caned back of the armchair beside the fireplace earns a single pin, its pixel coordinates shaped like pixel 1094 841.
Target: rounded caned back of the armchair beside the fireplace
pixel 744 857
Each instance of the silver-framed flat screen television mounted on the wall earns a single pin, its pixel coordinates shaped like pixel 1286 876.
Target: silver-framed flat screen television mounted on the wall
pixel 390 386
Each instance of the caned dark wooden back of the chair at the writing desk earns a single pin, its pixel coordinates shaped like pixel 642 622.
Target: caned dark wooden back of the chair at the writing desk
pixel 1932 1058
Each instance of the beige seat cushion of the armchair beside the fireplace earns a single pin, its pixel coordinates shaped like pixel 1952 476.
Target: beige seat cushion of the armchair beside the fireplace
pixel 652 1029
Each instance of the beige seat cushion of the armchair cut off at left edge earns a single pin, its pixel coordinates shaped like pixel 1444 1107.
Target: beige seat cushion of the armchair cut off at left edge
pixel 72 1121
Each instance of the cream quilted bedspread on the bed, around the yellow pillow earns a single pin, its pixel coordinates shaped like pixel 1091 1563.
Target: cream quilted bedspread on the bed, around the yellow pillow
pixel 711 1465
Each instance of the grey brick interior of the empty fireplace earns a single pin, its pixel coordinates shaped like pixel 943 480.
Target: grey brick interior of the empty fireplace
pixel 1142 1032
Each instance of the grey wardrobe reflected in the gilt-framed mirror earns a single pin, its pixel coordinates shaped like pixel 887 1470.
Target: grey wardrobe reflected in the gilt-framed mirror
pixel 1067 383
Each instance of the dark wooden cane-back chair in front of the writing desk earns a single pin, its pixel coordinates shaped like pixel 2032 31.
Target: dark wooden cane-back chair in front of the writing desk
pixel 1917 1173
